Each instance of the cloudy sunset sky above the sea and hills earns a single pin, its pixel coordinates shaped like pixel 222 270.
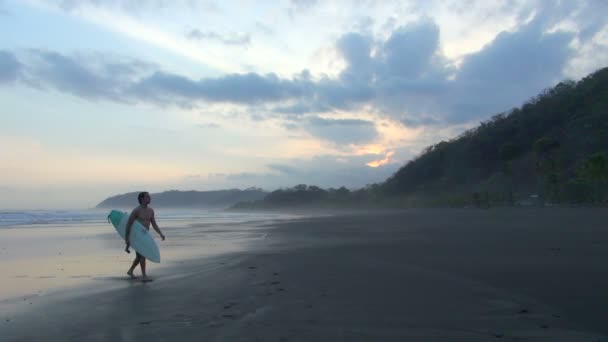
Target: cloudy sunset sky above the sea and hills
pixel 103 97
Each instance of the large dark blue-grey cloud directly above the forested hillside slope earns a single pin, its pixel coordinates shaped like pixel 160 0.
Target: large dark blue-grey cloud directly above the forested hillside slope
pixel 511 69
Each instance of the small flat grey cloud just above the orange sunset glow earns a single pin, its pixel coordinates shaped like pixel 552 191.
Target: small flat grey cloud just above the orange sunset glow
pixel 342 131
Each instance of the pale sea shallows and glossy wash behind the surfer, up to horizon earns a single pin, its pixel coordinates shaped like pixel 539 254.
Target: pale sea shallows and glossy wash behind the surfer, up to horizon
pixel 42 251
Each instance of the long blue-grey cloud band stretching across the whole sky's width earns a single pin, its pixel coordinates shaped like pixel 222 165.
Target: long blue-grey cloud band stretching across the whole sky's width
pixel 404 76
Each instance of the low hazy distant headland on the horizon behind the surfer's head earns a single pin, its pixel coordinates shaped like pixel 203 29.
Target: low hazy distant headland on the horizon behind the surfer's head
pixel 187 199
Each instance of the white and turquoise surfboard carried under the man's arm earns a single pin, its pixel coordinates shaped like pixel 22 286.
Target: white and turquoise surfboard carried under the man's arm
pixel 140 237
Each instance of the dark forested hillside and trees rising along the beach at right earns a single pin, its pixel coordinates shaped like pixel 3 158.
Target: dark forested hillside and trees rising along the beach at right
pixel 552 150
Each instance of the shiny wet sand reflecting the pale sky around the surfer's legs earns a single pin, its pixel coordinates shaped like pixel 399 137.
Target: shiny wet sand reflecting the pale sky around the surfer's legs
pixel 43 260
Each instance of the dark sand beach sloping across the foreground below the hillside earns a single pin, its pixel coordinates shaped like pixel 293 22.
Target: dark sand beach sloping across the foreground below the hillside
pixel 415 275
